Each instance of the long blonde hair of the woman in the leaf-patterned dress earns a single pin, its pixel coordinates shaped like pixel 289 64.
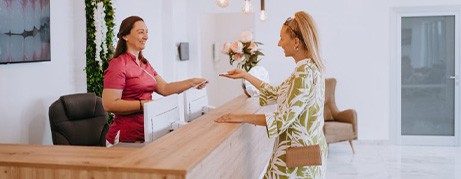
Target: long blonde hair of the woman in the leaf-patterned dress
pixel 303 27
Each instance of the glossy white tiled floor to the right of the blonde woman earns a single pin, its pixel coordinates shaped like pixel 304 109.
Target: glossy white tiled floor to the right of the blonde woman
pixel 382 161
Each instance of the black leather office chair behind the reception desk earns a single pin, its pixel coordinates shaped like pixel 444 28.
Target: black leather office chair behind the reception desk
pixel 78 119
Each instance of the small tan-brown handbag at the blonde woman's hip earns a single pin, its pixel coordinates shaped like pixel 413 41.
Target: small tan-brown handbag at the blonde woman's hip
pixel 304 156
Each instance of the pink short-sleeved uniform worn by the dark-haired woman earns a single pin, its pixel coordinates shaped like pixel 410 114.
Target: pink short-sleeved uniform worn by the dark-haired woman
pixel 123 73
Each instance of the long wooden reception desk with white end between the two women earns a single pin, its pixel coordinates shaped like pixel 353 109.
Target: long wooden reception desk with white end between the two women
pixel 201 149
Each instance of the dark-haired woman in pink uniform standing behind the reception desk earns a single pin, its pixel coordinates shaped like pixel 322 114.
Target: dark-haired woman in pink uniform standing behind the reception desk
pixel 130 80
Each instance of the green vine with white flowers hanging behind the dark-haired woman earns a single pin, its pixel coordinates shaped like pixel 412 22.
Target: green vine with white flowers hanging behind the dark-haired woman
pixel 97 60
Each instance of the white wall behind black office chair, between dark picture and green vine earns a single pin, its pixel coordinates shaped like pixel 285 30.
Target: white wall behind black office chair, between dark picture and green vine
pixel 28 89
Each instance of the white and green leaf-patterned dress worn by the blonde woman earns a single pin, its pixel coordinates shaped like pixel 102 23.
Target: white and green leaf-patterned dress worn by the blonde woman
pixel 298 120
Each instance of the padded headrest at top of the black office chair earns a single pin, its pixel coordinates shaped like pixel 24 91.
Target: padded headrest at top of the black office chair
pixel 79 106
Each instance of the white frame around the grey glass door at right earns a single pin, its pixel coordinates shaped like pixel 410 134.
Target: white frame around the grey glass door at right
pixel 395 76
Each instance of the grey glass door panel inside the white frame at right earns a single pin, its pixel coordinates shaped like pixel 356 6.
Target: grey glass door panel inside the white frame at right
pixel 428 79
